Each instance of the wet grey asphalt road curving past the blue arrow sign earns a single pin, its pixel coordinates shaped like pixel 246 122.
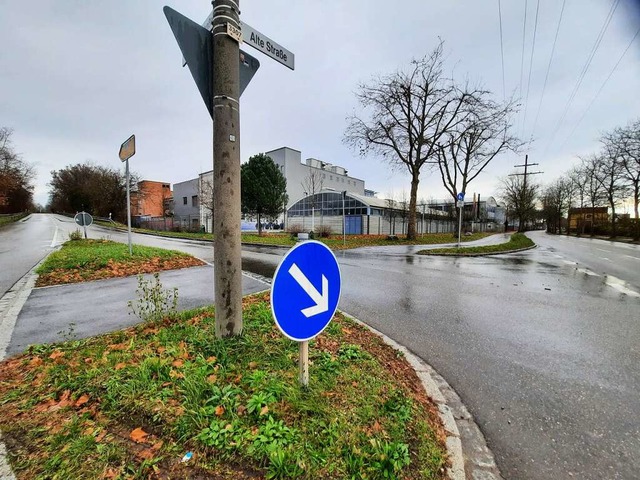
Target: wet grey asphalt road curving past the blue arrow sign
pixel 542 346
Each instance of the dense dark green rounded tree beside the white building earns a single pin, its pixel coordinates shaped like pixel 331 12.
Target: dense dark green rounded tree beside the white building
pixel 264 188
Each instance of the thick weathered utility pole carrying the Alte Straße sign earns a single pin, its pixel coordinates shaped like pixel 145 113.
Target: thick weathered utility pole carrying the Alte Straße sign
pixel 226 170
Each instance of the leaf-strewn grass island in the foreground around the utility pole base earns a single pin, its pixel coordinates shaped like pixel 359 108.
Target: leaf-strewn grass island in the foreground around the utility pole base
pixel 131 404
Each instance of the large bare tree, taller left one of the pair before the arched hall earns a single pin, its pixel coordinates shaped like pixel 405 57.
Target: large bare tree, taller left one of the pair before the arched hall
pixel 409 113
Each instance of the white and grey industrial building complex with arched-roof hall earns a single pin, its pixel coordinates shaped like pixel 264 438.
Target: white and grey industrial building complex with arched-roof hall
pixel 316 199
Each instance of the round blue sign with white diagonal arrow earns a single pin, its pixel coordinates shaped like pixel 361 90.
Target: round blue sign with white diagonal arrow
pixel 305 290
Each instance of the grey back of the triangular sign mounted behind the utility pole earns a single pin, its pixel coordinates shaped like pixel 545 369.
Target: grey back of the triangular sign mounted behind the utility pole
pixel 196 45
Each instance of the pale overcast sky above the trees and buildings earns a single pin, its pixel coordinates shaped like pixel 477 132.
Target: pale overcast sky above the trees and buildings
pixel 77 78
